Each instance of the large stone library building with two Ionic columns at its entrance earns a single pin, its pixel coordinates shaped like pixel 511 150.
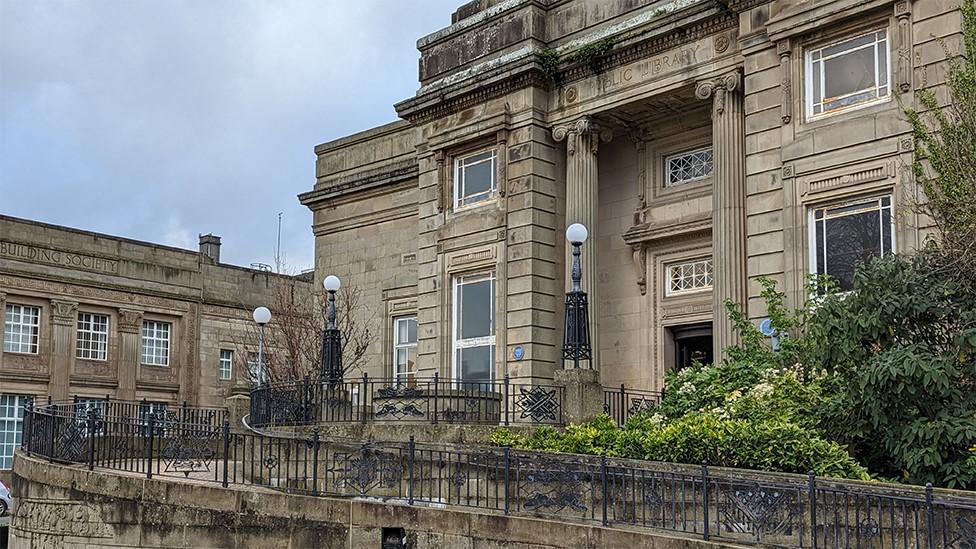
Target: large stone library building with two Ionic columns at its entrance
pixel 704 143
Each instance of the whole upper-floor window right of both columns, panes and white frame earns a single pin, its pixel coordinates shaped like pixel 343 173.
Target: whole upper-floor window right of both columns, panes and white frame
pixel 847 73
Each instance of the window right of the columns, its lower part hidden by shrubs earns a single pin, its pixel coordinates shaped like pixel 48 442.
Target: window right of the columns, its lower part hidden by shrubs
pixel 845 236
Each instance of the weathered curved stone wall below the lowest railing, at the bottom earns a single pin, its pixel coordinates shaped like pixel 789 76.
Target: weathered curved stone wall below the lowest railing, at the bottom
pixel 65 507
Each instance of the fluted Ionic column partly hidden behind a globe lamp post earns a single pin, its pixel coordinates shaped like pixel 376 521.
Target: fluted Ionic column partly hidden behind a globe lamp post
pixel 582 139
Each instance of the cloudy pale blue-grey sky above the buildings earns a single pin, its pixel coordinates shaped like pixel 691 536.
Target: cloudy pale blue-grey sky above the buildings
pixel 160 120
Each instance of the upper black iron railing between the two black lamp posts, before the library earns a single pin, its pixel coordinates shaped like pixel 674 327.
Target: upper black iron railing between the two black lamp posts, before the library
pixel 429 400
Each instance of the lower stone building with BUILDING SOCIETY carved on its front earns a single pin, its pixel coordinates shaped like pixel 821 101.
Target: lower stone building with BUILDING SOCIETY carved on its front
pixel 94 316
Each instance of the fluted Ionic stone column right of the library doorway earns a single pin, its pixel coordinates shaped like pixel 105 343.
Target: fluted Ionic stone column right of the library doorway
pixel 728 201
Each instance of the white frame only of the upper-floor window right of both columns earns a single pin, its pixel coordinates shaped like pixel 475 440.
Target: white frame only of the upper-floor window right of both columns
pixel 808 72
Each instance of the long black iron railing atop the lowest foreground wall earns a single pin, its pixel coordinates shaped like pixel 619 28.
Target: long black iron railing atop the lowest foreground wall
pixel 783 510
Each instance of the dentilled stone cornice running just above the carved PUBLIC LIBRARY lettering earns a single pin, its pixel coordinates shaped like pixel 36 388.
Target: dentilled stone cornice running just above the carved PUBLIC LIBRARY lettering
pixel 681 27
